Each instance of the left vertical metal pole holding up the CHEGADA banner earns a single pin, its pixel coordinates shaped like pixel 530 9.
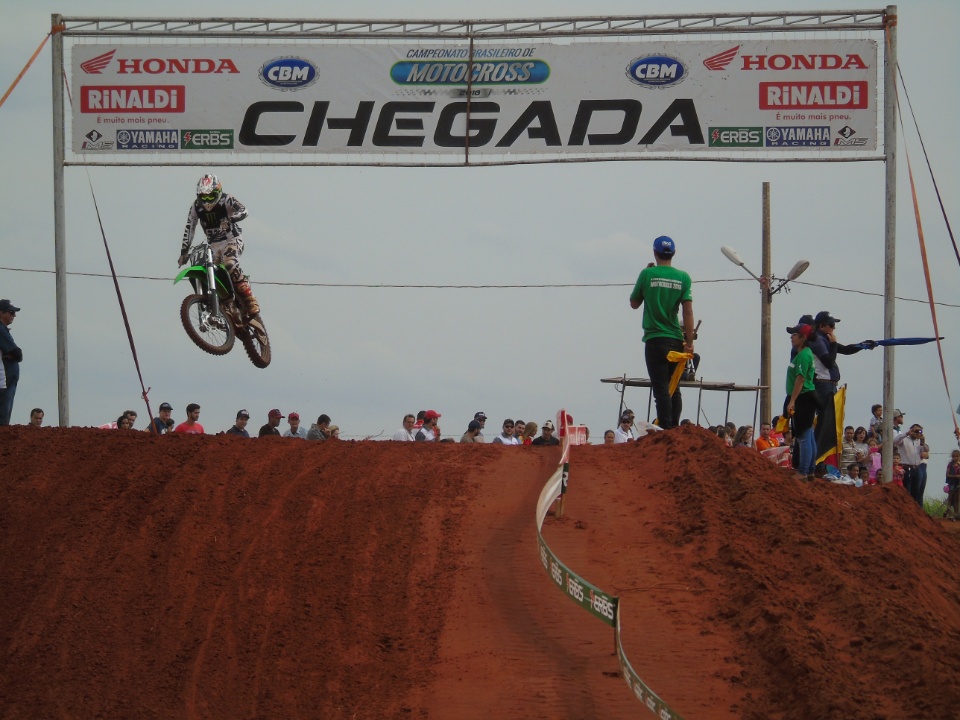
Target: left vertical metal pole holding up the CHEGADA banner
pixel 59 233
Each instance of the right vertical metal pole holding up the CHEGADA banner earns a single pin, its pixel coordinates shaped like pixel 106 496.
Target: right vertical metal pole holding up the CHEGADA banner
pixel 890 231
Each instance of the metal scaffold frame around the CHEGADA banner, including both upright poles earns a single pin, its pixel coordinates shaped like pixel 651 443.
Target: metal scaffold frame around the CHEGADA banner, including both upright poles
pixel 81 29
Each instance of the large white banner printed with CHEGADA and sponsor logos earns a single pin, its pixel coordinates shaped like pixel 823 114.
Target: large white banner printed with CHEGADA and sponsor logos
pixel 545 99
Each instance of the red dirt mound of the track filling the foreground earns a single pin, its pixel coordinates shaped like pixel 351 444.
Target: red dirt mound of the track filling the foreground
pixel 213 577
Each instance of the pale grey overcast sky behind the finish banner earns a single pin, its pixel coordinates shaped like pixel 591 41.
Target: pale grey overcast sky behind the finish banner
pixel 366 356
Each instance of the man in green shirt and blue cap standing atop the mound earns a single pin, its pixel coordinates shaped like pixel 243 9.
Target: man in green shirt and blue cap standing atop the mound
pixel 662 290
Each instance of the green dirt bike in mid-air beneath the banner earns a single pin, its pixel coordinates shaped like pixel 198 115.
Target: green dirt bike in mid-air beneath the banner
pixel 213 316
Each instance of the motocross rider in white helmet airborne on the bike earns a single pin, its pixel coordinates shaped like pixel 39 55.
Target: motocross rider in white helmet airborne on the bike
pixel 218 214
